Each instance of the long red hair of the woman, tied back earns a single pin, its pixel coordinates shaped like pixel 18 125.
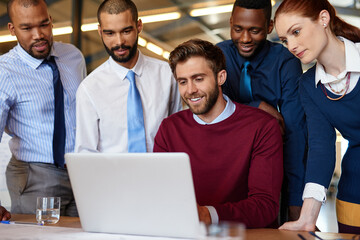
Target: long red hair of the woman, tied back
pixel 312 9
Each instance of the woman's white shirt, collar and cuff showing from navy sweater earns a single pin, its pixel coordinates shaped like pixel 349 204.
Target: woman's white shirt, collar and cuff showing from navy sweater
pixel 352 60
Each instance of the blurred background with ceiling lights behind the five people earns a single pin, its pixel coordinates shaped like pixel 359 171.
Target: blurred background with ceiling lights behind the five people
pixel 167 23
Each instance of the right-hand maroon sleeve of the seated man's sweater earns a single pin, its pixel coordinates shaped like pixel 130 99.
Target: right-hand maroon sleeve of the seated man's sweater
pixel 261 206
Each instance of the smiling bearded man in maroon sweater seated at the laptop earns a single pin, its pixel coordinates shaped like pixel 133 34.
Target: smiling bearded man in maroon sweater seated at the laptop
pixel 235 150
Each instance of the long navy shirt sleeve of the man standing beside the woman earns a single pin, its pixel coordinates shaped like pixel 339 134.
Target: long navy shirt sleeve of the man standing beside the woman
pixel 295 147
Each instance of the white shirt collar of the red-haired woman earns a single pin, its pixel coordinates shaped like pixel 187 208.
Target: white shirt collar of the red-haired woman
pixel 352 57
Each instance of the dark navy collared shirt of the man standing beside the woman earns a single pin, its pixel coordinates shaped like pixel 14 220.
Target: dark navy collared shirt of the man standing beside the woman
pixel 274 75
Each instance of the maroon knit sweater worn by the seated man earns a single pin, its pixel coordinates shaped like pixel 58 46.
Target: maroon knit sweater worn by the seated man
pixel 237 164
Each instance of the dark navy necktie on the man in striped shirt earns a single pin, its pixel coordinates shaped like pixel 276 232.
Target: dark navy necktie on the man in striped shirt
pixel 59 118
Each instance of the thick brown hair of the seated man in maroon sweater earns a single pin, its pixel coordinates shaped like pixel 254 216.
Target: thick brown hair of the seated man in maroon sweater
pixel 199 48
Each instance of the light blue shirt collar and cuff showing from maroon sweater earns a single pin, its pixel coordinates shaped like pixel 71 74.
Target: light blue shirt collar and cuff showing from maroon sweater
pixel 228 111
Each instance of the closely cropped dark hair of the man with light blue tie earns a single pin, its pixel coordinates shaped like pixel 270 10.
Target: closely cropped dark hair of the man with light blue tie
pixel 116 7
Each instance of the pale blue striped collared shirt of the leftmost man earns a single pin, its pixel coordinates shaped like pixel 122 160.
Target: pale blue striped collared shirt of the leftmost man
pixel 27 100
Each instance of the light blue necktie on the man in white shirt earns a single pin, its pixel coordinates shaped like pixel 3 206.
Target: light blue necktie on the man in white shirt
pixel 135 117
